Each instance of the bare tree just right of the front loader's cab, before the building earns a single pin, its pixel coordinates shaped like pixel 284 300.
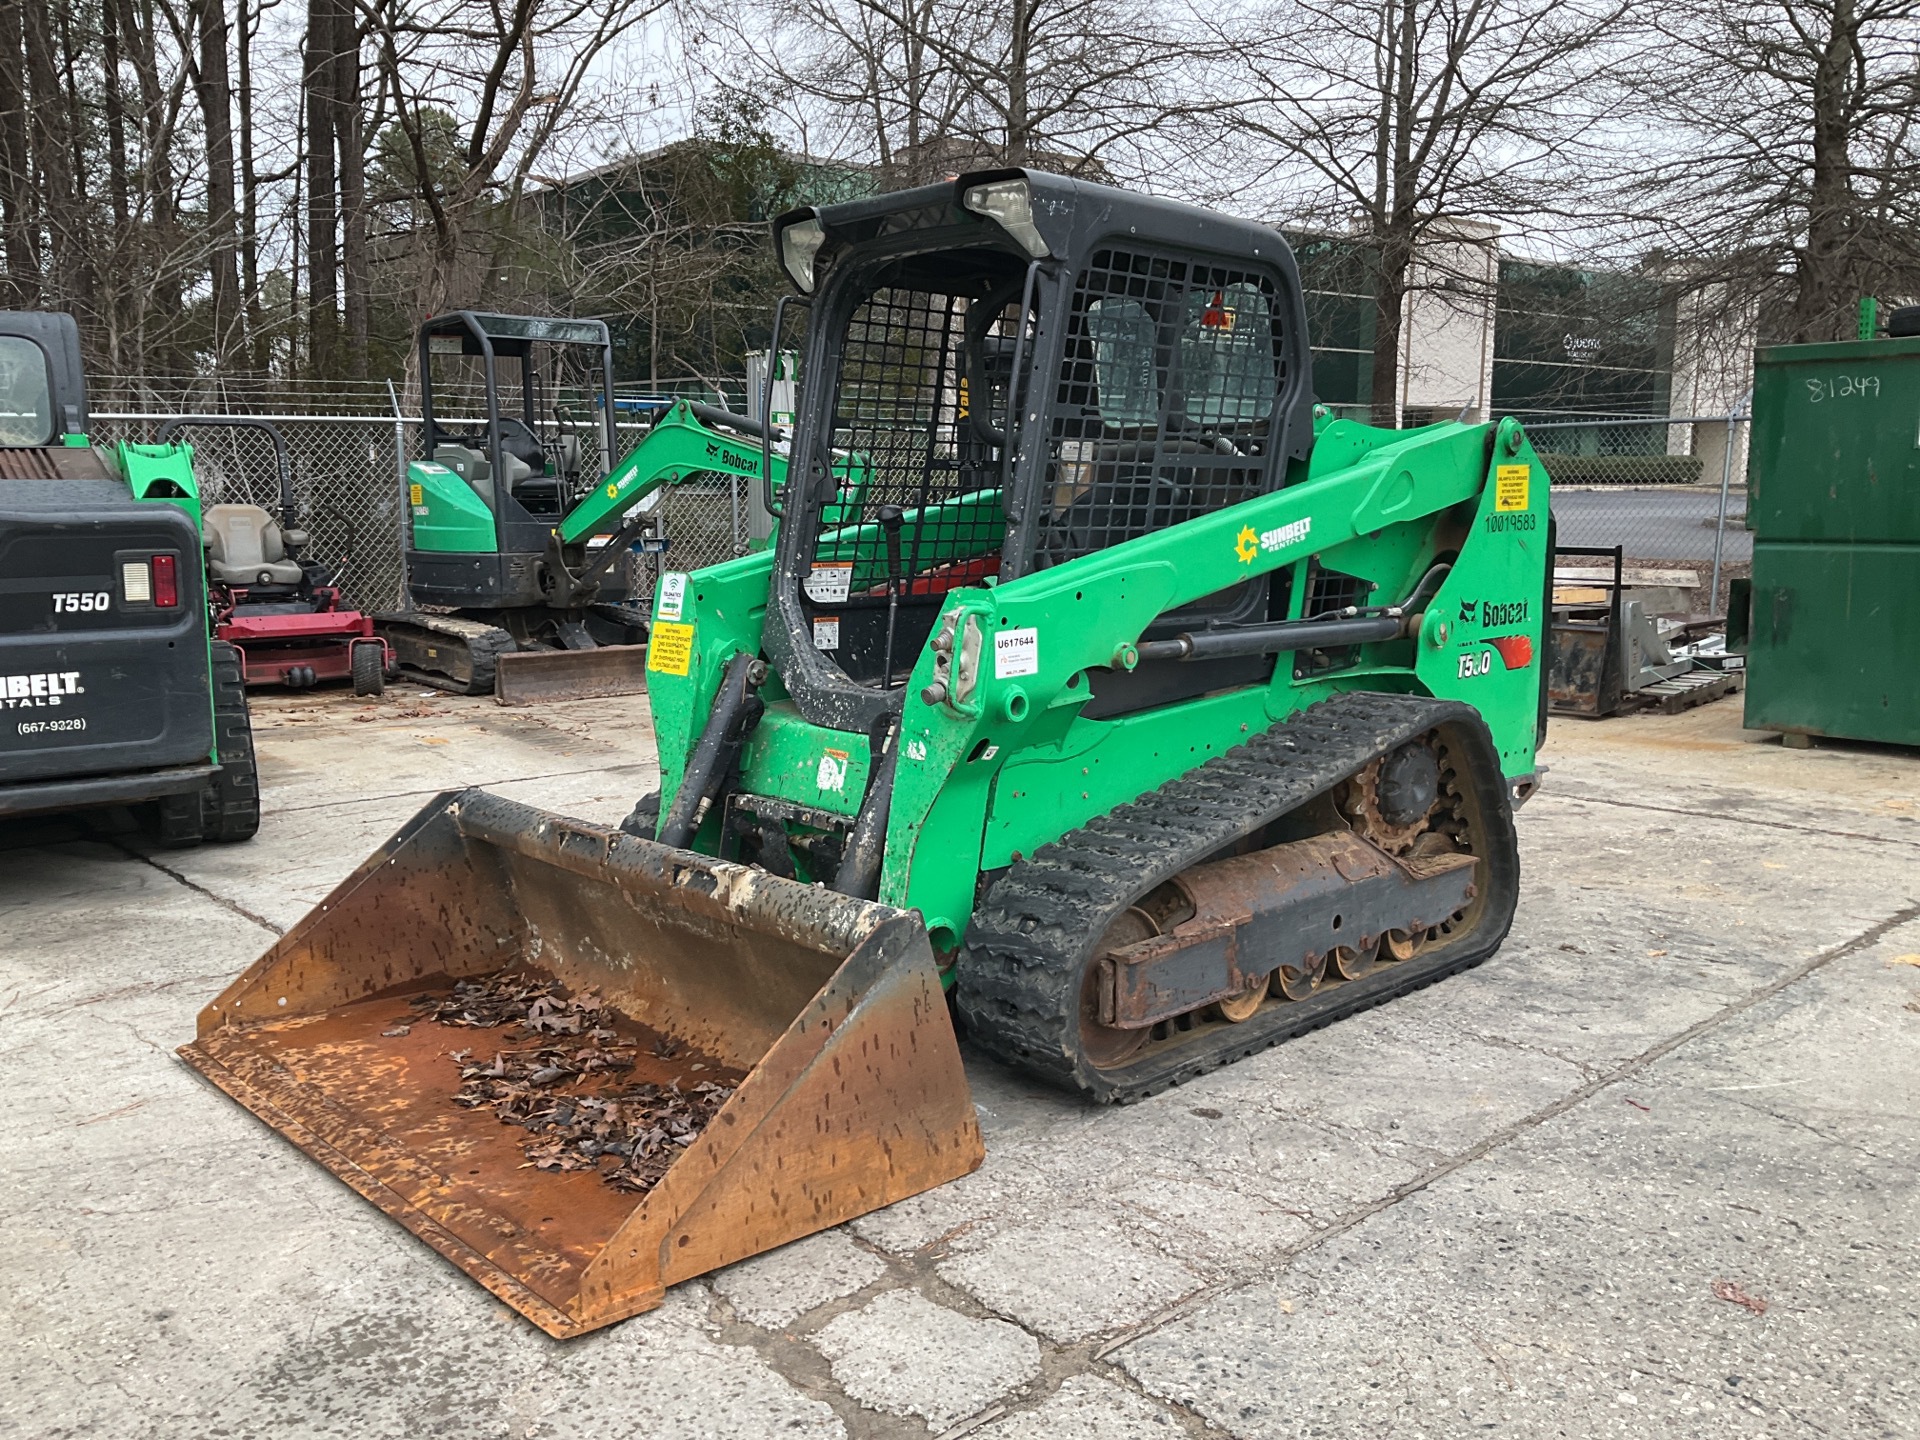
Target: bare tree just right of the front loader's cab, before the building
pixel 1408 124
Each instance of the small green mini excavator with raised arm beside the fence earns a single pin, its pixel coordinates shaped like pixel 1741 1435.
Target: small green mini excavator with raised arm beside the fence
pixel 521 523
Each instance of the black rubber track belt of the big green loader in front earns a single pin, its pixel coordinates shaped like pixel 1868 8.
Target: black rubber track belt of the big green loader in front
pixel 1047 919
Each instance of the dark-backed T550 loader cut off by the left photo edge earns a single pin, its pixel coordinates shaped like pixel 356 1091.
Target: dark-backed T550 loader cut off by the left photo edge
pixel 112 690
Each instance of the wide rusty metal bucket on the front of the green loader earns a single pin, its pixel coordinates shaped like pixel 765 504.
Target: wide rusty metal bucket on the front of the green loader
pixel 821 1013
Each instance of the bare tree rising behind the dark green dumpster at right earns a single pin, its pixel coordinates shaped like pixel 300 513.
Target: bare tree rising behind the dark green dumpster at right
pixel 1785 170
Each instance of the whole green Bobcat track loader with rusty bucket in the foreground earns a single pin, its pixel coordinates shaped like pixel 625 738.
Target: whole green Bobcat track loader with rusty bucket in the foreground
pixel 1097 681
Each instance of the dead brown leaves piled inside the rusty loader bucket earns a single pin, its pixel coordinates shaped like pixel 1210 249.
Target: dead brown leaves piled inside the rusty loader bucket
pixel 629 1136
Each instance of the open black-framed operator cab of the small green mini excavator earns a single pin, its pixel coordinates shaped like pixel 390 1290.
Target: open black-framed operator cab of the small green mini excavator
pixel 531 460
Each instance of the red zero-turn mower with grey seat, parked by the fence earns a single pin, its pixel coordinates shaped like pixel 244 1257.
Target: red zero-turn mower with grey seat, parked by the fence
pixel 279 608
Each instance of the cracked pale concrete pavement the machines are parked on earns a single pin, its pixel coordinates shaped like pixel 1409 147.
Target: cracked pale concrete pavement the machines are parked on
pixel 1644 1174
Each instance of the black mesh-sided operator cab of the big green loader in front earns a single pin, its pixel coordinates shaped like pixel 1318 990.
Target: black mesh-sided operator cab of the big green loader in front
pixel 1032 370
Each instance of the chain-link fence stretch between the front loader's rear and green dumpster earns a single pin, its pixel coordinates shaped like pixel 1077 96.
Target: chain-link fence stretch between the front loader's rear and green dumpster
pixel 1671 492
